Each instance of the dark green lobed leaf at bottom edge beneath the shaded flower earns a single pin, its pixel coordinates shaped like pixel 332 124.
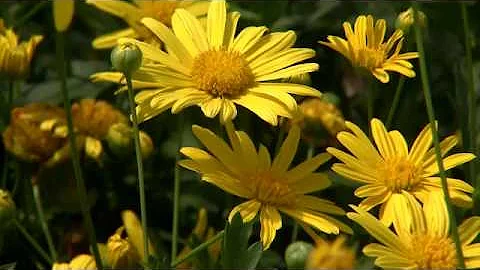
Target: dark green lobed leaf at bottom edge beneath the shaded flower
pixel 235 251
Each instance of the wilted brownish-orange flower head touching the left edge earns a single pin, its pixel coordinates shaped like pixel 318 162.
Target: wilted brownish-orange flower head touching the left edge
pixel 24 137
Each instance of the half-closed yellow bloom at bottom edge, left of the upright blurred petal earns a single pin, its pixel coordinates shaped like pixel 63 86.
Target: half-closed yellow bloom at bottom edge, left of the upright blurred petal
pixel 120 252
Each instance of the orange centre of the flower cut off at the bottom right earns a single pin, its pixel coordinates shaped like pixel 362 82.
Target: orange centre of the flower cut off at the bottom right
pixel 433 252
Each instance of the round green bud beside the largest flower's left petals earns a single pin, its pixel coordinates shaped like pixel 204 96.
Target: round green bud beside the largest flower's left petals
pixel 126 58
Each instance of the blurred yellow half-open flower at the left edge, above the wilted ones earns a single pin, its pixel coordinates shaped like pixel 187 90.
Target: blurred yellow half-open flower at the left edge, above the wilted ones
pixel 15 57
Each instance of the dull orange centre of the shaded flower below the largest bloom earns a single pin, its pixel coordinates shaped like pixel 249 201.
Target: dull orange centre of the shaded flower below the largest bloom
pixel 270 190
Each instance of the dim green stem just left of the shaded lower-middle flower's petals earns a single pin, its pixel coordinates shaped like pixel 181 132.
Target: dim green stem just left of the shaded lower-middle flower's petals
pixel 176 193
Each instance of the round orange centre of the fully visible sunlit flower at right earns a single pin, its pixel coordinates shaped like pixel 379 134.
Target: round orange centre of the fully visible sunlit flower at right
pixel 399 174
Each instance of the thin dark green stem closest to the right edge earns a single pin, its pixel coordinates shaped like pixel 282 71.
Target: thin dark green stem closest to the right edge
pixel 471 92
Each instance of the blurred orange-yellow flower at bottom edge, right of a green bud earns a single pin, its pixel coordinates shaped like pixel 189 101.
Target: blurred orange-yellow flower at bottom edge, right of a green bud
pixel 331 255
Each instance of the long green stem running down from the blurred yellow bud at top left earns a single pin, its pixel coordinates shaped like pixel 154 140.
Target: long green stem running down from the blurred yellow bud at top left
pixel 77 170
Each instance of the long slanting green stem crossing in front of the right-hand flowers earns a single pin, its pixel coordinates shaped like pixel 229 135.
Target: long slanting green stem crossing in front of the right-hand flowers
pixel 436 142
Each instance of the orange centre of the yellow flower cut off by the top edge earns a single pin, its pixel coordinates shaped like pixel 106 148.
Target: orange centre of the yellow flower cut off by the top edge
pixel 159 10
